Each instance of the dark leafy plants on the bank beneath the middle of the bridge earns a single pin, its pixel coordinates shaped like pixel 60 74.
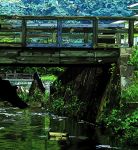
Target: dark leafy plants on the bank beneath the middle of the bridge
pixel 64 101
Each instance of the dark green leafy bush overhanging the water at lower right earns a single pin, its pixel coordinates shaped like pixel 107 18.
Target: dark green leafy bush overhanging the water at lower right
pixel 124 125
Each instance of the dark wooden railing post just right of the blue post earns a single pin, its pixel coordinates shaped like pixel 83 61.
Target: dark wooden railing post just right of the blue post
pixel 95 32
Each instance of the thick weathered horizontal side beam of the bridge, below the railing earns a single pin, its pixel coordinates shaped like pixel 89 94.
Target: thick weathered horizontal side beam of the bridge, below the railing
pixel 54 55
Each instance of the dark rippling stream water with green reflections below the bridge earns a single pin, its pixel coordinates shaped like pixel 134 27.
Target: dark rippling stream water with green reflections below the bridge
pixel 40 130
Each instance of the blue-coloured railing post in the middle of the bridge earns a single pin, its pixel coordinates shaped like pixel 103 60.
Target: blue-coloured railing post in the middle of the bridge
pixel 59 33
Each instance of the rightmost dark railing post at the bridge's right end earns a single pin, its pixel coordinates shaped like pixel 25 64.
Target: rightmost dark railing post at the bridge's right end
pixel 131 33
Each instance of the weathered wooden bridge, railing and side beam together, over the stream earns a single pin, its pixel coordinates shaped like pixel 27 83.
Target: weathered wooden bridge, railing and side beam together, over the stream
pixel 41 40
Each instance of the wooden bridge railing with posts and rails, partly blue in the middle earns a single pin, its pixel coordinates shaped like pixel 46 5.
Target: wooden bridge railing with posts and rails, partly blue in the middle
pixel 52 31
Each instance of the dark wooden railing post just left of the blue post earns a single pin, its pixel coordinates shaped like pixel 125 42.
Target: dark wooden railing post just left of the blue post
pixel 24 32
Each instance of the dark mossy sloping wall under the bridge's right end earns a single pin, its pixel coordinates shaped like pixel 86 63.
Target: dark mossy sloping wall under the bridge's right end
pixel 112 94
